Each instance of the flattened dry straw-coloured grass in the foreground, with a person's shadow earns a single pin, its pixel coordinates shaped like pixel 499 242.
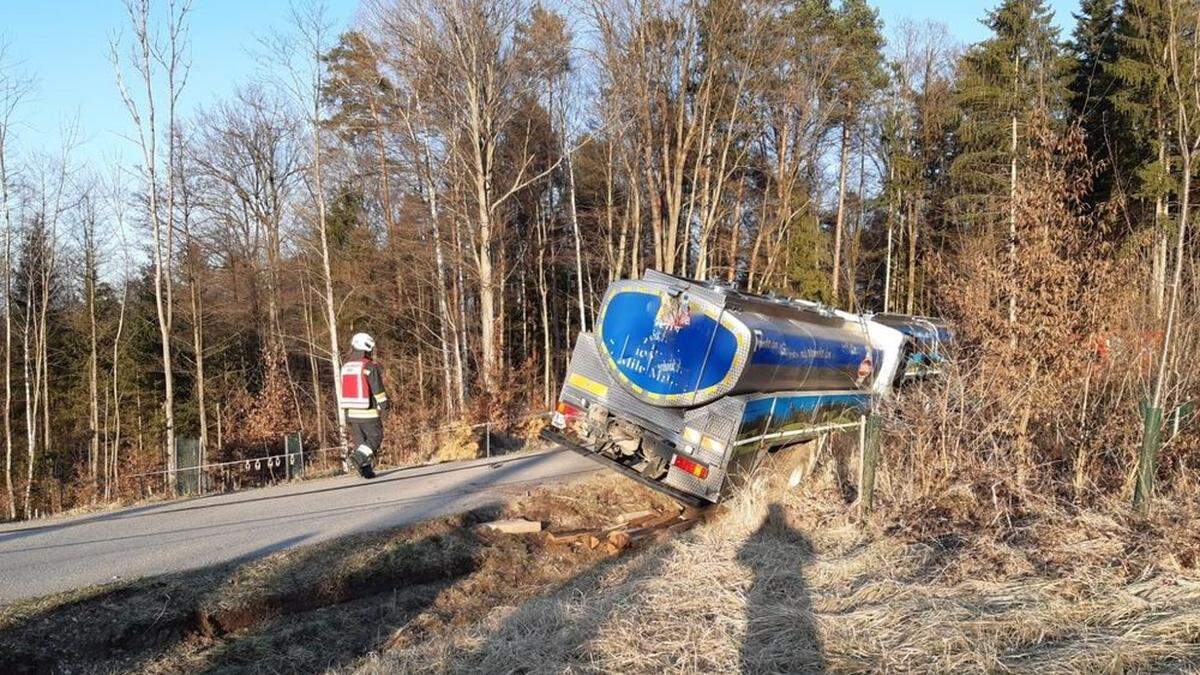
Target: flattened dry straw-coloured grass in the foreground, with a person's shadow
pixel 788 582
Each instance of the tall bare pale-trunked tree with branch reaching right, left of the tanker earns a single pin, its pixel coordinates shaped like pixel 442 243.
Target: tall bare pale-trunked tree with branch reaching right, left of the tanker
pixel 461 56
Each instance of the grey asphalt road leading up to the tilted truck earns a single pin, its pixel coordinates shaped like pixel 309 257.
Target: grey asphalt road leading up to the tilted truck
pixel 69 553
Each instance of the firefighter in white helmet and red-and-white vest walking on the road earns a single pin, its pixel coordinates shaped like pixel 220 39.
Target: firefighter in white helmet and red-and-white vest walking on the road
pixel 365 402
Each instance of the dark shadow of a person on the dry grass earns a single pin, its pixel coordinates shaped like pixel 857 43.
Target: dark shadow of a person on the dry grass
pixel 782 636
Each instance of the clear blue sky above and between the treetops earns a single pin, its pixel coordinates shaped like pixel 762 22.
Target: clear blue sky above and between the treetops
pixel 64 45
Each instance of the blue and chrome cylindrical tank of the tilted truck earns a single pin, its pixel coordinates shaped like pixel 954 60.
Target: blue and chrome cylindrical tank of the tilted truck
pixel 676 343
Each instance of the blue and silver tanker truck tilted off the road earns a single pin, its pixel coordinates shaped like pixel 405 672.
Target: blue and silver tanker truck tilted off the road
pixel 686 385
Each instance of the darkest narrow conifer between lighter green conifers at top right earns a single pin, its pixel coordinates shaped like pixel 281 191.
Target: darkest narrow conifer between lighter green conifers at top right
pixel 1094 88
